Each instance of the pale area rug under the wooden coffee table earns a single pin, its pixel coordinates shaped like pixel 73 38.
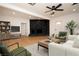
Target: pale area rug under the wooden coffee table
pixel 35 52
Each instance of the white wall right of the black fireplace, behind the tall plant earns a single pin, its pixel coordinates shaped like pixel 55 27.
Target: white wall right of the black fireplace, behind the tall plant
pixel 55 28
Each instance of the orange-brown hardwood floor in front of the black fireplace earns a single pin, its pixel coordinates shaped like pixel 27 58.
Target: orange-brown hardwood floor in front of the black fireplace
pixel 25 41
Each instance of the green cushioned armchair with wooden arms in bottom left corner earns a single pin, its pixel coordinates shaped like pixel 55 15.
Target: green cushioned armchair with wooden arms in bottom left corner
pixel 19 51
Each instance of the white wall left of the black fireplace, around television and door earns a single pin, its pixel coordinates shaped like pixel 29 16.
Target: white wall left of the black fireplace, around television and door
pixel 16 21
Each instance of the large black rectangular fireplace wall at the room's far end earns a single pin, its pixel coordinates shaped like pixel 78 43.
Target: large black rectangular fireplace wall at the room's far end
pixel 39 27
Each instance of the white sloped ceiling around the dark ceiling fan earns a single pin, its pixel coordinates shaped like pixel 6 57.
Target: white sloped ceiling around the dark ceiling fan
pixel 39 9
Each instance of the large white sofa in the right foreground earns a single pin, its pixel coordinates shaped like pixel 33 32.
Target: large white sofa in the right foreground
pixel 65 49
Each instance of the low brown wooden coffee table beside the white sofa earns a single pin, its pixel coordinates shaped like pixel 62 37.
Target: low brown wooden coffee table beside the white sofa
pixel 44 43
